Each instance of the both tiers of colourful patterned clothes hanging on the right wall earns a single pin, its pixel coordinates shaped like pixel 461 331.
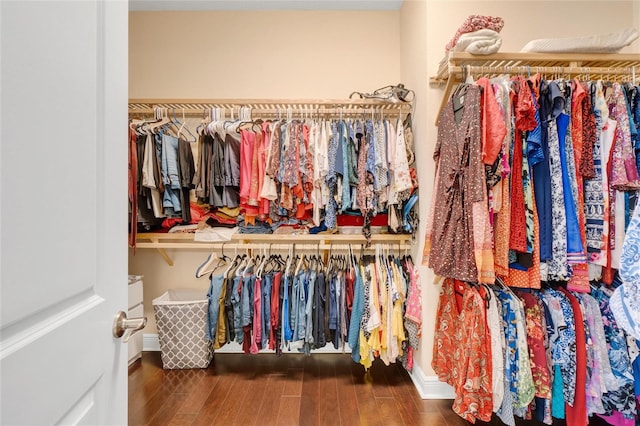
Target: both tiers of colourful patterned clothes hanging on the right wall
pixel 559 195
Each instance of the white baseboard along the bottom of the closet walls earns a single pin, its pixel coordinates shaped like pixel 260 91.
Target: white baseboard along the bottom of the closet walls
pixel 429 387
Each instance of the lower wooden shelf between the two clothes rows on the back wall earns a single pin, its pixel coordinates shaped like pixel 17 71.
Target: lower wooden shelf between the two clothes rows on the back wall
pixel 305 242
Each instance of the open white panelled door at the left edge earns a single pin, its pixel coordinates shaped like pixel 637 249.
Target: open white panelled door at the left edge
pixel 63 220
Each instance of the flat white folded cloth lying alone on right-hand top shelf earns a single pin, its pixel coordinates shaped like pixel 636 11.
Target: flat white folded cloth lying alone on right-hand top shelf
pixel 599 43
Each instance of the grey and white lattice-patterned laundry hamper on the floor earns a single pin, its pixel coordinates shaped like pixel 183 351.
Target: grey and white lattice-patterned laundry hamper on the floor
pixel 181 317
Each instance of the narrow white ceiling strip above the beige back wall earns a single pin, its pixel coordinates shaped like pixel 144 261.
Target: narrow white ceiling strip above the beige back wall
pixel 159 5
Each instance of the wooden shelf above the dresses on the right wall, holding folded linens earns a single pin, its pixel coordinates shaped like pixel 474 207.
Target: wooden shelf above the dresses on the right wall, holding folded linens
pixel 592 65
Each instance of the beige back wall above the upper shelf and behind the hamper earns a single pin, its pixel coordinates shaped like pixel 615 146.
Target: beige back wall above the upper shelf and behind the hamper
pixel 250 55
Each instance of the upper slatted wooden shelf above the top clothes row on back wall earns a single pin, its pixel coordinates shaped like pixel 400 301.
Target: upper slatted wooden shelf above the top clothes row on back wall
pixel 269 106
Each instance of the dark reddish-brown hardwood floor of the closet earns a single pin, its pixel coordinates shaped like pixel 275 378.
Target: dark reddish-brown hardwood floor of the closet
pixel 321 389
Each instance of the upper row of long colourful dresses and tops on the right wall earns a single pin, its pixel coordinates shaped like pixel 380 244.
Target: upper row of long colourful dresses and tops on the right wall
pixel 553 192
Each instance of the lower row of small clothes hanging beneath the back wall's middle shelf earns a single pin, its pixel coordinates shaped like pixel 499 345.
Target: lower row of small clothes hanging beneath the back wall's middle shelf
pixel 301 304
